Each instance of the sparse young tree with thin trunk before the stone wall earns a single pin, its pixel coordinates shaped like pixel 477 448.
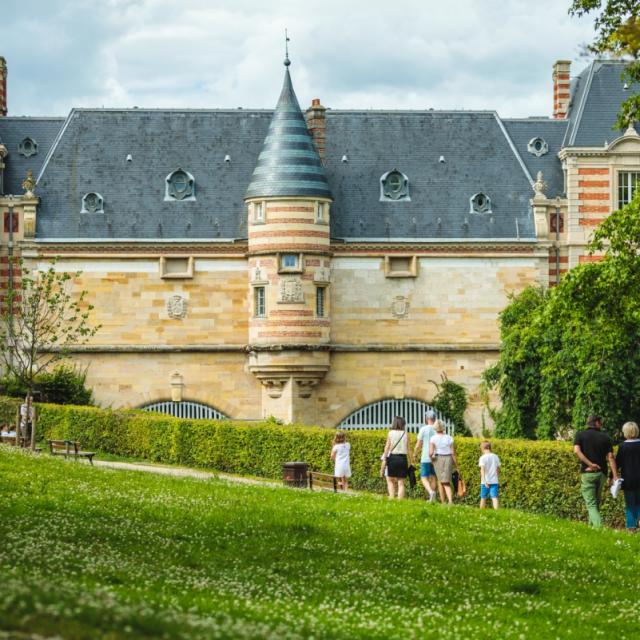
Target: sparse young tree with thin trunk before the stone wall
pixel 41 320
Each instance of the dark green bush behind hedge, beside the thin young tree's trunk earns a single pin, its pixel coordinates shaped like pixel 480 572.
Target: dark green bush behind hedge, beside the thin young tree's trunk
pixel 64 385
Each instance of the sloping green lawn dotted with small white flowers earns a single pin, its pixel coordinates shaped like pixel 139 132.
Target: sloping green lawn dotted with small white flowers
pixel 98 553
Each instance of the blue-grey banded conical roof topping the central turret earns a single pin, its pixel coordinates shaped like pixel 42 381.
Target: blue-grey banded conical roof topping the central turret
pixel 289 164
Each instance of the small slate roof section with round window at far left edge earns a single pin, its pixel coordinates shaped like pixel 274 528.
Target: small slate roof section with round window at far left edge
pixel 12 132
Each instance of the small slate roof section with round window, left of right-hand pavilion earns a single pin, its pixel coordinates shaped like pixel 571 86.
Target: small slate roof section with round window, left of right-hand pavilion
pixel 522 131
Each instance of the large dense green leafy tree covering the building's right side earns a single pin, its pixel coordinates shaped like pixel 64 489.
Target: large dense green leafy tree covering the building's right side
pixel 573 350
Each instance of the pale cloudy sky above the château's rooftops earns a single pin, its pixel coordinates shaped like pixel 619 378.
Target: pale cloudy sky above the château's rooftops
pixel 352 54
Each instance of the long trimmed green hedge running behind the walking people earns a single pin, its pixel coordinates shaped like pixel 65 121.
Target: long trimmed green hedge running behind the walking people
pixel 540 477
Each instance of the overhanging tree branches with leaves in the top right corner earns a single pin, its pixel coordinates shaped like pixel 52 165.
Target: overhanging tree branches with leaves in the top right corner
pixel 617 34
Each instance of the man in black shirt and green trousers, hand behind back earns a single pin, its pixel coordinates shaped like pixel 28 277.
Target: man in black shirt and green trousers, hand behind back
pixel 594 449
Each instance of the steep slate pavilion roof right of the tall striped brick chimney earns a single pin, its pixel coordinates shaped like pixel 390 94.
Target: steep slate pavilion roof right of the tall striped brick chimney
pixel 595 100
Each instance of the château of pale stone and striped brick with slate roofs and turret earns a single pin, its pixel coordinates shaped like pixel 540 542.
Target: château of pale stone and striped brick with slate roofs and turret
pixel 309 265
